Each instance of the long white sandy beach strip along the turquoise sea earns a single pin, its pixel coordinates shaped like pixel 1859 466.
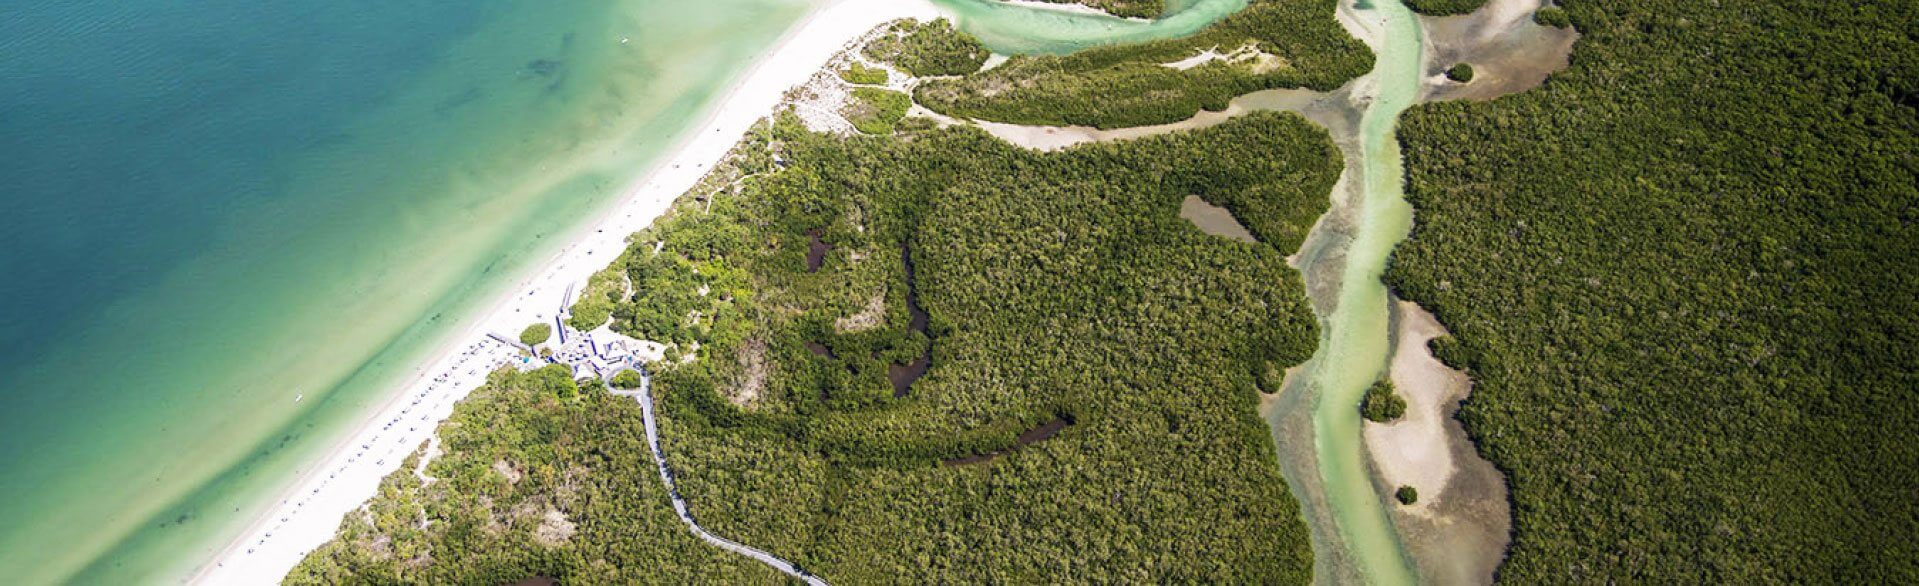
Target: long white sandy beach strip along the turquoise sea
pixel 310 510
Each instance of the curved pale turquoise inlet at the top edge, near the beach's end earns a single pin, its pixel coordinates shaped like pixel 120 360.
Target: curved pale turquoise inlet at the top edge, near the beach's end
pixel 1020 30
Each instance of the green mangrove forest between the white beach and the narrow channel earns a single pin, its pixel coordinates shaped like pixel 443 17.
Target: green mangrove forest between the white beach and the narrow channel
pixel 1058 289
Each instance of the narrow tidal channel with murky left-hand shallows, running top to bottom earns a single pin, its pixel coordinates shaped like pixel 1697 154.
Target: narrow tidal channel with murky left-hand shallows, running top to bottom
pixel 1356 341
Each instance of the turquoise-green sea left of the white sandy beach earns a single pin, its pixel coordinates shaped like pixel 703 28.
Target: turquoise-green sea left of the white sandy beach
pixel 220 207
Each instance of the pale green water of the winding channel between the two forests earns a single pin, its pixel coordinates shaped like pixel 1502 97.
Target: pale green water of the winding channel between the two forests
pixel 1356 345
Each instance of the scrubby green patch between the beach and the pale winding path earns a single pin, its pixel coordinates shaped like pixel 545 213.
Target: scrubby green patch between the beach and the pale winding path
pixel 513 452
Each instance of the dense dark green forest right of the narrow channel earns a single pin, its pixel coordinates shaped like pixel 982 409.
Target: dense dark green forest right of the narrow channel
pixel 1682 276
